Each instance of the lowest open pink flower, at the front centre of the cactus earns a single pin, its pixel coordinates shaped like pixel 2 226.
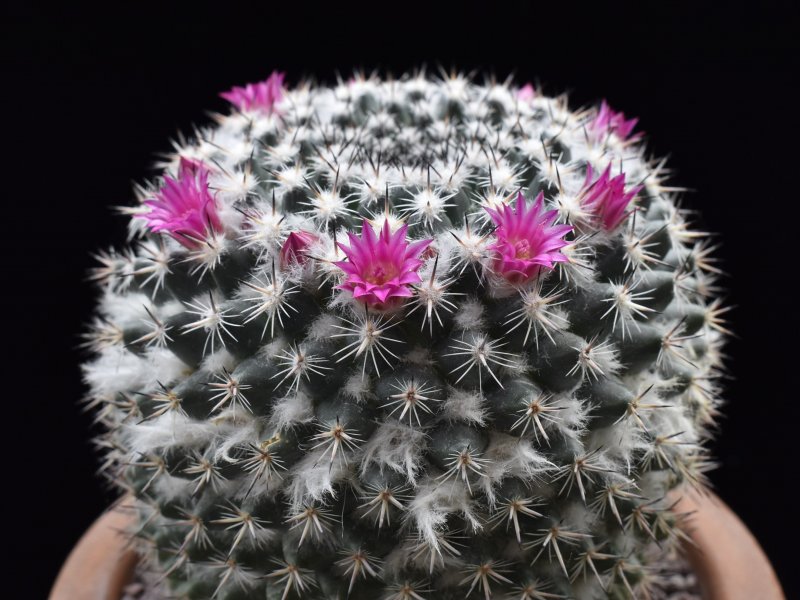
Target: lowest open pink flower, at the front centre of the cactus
pixel 380 269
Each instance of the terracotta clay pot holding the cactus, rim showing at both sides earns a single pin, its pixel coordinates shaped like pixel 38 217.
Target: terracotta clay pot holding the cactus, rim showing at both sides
pixel 726 557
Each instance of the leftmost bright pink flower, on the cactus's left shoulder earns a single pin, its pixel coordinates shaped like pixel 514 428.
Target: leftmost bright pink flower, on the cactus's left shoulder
pixel 184 208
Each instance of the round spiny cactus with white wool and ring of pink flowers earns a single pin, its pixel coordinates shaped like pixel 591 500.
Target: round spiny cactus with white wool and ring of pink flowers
pixel 405 339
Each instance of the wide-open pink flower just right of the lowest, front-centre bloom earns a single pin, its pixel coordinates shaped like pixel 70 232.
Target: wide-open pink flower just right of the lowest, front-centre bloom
pixel 527 240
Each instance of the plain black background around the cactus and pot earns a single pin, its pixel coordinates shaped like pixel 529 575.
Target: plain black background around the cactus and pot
pixel 90 97
